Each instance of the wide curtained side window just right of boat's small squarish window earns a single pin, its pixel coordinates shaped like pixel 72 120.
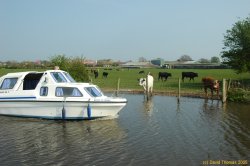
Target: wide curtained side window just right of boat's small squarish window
pixel 68 92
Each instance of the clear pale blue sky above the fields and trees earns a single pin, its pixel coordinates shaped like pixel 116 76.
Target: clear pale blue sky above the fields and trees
pixel 116 29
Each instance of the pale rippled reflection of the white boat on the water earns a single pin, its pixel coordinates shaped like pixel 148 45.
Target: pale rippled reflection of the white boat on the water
pixel 50 140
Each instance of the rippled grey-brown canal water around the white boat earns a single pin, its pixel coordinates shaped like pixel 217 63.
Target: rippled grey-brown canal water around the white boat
pixel 154 132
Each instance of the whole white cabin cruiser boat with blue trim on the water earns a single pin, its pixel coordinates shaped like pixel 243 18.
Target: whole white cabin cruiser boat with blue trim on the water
pixel 54 94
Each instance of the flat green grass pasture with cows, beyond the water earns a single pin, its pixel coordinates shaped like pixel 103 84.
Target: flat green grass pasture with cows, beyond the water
pixel 129 78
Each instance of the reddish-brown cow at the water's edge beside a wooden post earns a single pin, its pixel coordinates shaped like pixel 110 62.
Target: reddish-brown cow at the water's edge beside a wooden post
pixel 212 84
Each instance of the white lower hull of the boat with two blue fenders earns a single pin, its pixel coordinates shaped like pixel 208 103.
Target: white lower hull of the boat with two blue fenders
pixel 61 110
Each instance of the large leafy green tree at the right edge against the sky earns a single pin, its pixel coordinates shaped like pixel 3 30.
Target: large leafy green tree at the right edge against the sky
pixel 237 46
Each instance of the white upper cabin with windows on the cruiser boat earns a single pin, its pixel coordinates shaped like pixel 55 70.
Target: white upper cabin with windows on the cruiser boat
pixel 51 83
